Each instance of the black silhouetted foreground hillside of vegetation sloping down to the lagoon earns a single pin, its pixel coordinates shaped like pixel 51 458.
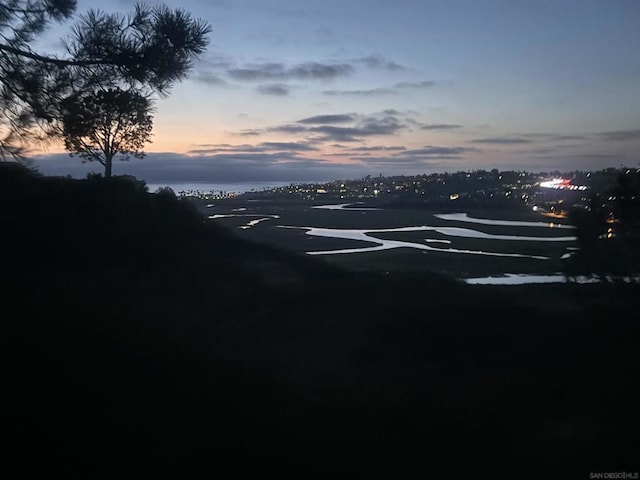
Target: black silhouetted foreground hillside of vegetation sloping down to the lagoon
pixel 139 339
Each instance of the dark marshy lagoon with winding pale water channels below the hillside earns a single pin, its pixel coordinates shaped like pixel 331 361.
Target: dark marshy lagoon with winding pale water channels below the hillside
pixel 506 239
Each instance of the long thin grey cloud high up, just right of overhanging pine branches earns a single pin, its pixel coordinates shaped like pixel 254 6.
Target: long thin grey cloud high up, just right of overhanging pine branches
pixel 302 71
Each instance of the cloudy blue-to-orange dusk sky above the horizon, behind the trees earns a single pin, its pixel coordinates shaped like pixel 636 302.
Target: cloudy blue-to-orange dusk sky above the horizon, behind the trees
pixel 298 90
